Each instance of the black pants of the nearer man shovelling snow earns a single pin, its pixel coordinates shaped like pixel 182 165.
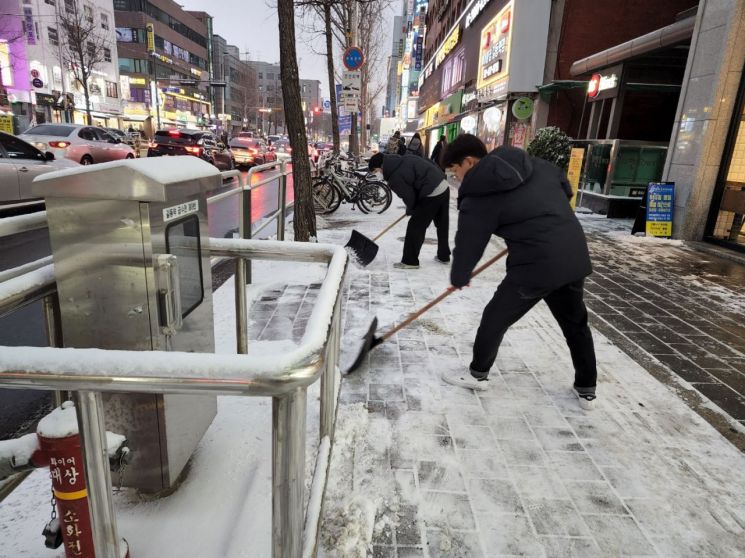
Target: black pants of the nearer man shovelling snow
pixel 510 303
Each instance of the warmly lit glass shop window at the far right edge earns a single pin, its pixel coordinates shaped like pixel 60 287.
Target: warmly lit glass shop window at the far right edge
pixel 726 223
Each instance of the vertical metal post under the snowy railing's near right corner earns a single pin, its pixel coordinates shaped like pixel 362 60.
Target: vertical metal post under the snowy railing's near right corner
pixel 288 473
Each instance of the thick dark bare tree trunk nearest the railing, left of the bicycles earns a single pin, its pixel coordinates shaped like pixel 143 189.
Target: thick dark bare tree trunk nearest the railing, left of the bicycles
pixel 305 217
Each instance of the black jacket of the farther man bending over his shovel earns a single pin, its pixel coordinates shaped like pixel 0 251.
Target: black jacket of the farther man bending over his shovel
pixel 411 177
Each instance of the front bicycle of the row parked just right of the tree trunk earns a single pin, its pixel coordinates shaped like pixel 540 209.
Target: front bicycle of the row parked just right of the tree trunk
pixel 335 186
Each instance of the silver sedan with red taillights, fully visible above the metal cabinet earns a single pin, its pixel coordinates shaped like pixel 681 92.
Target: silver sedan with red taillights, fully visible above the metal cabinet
pixel 83 144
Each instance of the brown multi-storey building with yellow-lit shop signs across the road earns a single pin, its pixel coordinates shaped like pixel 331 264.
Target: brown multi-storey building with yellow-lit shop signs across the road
pixel 164 65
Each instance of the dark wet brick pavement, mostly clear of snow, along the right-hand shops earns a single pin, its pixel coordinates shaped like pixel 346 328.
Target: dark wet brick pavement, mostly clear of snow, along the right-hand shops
pixel 673 305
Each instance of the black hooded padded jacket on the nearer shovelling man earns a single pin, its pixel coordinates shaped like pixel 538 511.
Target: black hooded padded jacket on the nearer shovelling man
pixel 524 200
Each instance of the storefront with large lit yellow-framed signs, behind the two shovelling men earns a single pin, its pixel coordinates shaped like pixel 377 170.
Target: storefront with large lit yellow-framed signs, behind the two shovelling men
pixel 494 57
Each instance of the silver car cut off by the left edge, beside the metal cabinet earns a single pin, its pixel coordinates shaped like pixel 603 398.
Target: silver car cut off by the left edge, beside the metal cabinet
pixel 20 163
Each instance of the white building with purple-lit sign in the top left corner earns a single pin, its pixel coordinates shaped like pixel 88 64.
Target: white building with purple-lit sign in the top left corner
pixel 38 82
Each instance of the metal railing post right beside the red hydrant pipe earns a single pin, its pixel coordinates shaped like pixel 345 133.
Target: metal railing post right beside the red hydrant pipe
pixel 89 409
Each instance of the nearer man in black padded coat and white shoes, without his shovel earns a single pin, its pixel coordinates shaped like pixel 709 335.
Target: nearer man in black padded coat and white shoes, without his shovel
pixel 525 201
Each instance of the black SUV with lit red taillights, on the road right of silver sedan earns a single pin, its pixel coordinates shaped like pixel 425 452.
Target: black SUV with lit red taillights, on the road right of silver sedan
pixel 199 143
